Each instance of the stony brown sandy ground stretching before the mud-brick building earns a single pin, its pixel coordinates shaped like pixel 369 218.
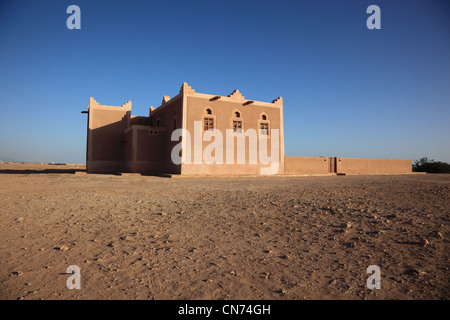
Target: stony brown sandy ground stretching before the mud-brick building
pixel 222 238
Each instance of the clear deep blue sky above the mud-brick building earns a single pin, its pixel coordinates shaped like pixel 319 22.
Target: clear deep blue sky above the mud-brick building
pixel 348 91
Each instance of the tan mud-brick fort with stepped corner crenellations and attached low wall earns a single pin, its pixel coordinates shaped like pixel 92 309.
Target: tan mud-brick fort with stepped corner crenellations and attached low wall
pixel 119 142
